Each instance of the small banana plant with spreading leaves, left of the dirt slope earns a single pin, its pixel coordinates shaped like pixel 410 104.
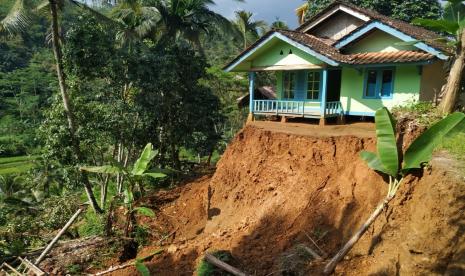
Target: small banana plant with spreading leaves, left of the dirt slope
pixel 139 170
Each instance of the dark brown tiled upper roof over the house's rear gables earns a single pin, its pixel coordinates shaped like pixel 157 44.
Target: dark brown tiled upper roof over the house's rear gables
pixel 419 33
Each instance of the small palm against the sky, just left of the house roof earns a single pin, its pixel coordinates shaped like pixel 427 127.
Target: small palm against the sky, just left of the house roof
pixel 248 28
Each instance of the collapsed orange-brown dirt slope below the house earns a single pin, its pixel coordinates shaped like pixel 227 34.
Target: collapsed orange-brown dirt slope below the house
pixel 272 191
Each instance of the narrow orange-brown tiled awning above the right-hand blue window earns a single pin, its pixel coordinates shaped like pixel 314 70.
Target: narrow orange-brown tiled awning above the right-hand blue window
pixel 389 57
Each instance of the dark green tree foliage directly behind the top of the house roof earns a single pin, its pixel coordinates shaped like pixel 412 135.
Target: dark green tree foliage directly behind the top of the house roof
pixel 406 10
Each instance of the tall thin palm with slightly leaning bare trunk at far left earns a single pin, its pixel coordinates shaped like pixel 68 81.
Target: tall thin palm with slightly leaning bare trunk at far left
pixel 17 21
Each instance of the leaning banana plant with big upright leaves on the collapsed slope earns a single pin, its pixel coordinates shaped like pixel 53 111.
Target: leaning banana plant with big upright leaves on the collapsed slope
pixel 387 161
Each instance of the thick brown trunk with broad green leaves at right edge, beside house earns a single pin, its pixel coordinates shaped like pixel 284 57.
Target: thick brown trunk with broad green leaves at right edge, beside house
pixel 452 24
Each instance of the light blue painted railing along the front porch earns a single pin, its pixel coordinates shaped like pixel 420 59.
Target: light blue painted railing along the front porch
pixel 298 108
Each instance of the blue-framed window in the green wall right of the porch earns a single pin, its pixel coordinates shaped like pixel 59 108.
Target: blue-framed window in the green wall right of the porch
pixel 379 83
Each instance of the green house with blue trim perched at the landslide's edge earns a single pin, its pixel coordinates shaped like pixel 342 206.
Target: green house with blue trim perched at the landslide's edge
pixel 345 61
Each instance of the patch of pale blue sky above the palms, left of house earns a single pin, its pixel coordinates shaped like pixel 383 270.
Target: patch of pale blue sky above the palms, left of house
pixel 266 10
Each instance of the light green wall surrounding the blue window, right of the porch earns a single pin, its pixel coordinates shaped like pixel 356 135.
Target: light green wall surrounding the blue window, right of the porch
pixel 407 81
